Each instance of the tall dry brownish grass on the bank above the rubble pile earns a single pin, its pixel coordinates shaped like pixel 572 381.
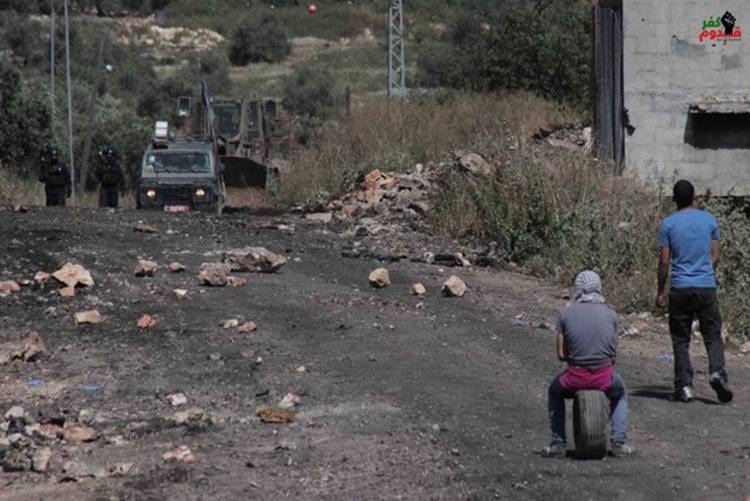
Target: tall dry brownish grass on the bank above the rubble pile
pixel 395 136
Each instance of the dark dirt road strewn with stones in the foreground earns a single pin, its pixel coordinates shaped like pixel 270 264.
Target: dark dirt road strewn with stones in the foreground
pixel 401 398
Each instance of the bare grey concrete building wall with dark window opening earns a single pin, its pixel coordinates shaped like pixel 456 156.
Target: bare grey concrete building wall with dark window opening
pixel 671 63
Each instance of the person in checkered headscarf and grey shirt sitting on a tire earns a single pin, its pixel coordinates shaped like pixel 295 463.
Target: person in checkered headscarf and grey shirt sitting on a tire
pixel 587 341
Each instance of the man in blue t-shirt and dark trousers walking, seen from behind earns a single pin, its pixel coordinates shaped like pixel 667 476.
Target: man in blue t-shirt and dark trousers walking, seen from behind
pixel 689 243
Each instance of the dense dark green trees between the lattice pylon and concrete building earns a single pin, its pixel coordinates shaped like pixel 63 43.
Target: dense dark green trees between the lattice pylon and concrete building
pixel 547 51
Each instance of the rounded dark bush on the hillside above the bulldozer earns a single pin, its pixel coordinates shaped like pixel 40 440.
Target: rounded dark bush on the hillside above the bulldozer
pixel 259 39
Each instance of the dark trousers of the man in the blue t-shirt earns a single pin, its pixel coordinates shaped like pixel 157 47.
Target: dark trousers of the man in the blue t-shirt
pixel 684 306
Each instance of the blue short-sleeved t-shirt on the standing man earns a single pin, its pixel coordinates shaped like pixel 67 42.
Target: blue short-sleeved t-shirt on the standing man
pixel 688 234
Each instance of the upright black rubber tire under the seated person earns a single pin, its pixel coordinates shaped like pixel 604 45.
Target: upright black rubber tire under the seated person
pixel 590 424
